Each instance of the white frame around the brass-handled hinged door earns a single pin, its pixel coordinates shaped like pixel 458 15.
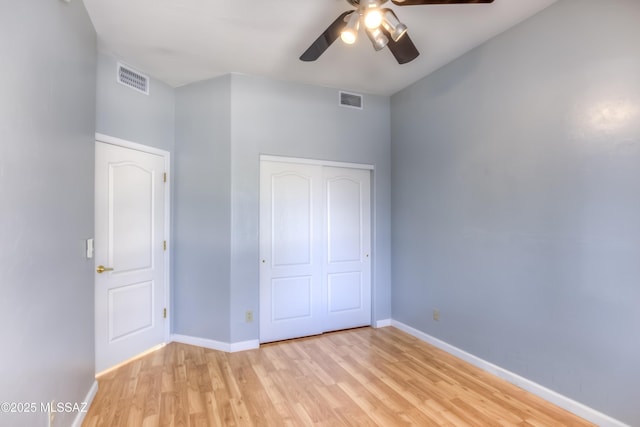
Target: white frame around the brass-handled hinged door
pixel 167 214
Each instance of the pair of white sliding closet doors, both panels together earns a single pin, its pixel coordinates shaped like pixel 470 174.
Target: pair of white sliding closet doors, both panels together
pixel 315 239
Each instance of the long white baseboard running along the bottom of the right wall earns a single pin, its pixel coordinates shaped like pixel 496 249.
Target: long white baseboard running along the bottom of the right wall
pixel 549 395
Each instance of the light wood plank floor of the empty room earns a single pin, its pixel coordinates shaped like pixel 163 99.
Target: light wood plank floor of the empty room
pixel 360 377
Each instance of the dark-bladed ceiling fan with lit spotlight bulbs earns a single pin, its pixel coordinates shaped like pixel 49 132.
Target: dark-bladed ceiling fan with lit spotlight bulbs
pixel 381 25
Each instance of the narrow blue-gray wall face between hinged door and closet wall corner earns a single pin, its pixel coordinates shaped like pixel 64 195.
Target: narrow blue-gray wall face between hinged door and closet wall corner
pixel 202 210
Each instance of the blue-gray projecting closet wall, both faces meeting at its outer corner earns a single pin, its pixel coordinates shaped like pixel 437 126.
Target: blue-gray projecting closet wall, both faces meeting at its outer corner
pixel 222 127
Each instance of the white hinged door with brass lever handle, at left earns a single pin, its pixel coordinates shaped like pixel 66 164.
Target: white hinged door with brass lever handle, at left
pixel 129 245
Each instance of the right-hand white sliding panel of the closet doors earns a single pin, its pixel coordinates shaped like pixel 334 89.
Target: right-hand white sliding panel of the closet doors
pixel 347 268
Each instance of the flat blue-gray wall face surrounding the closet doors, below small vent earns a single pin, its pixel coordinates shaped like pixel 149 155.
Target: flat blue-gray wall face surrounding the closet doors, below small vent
pixel 287 119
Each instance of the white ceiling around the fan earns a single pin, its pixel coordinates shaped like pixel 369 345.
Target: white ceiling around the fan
pixel 183 41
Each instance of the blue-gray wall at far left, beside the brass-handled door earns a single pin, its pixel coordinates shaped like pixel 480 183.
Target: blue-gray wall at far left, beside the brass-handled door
pixel 47 121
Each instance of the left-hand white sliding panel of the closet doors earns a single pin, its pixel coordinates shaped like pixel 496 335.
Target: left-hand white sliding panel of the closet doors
pixel 291 251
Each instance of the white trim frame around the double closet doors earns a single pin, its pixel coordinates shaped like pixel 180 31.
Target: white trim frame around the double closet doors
pixel 330 163
